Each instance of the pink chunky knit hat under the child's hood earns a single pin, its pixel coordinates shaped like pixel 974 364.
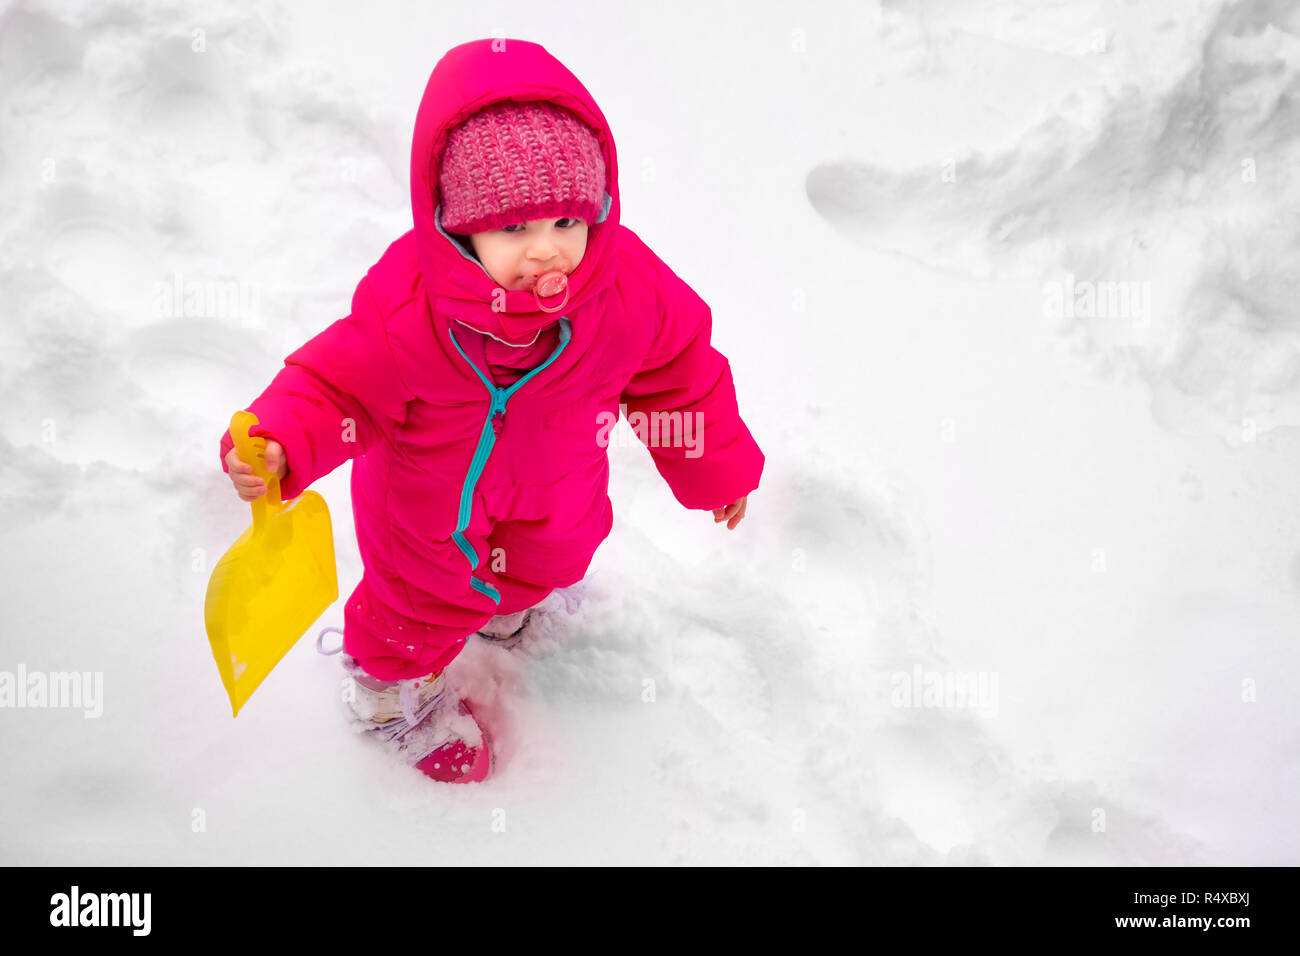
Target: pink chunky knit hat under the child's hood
pixel 517 162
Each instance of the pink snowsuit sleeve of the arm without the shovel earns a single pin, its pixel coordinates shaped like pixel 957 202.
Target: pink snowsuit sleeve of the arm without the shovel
pixel 682 405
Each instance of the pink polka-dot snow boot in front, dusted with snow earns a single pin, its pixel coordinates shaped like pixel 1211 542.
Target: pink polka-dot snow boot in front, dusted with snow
pixel 423 720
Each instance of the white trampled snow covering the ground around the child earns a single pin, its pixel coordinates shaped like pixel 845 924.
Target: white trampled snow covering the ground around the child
pixel 1093 513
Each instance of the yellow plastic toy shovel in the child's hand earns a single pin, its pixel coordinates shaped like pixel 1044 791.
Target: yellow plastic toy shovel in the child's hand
pixel 275 581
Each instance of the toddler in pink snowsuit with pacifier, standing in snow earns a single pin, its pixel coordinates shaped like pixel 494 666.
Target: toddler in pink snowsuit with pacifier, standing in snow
pixel 474 384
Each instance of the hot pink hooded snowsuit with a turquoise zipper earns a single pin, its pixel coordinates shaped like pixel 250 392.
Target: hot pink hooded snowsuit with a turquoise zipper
pixel 473 500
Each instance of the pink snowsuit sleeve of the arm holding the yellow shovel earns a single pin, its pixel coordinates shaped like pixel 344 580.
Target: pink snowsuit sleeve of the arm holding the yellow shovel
pixel 333 400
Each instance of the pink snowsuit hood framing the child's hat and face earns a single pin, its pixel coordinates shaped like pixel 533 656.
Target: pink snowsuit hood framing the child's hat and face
pixel 465 81
